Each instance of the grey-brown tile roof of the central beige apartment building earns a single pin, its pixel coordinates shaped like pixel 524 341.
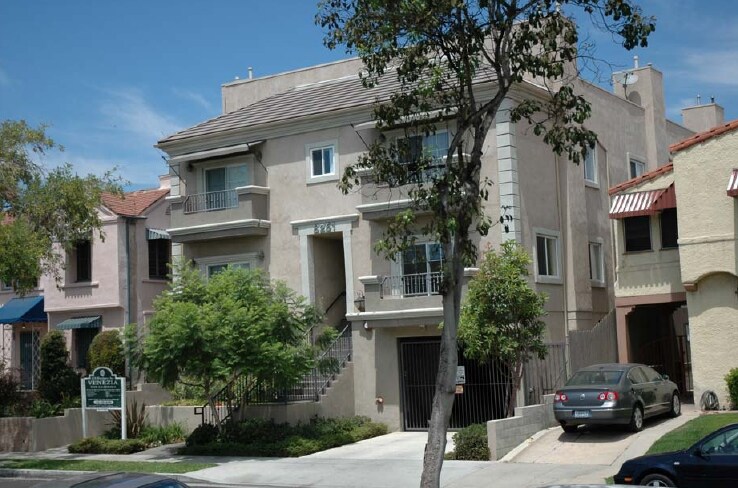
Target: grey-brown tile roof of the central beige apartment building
pixel 316 98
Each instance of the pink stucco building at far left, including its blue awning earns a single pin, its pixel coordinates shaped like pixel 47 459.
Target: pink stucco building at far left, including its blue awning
pixel 107 283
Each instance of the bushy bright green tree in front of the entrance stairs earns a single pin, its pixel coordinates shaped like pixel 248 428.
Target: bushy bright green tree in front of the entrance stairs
pixel 236 323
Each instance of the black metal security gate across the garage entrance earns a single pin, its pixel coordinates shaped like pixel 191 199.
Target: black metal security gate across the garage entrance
pixel 484 396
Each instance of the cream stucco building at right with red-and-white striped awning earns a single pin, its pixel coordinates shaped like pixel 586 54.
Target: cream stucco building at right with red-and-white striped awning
pixel 677 271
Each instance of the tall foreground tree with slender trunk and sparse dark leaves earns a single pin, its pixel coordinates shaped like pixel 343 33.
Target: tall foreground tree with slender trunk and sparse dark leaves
pixel 457 61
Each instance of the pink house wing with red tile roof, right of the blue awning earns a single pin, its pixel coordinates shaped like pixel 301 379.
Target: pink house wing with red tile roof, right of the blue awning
pixel 111 282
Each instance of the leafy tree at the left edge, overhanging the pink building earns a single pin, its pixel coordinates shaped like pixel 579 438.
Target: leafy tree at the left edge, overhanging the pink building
pixel 45 212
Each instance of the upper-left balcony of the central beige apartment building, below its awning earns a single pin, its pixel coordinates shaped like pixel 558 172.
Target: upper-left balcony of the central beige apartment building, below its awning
pixel 241 211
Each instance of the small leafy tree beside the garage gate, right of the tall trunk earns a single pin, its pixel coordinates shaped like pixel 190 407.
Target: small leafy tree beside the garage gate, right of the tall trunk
pixel 501 314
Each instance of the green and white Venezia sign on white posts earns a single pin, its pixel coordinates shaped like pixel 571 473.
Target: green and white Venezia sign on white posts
pixel 103 391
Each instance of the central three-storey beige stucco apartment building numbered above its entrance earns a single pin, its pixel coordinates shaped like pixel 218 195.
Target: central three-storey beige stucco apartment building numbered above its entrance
pixel 257 187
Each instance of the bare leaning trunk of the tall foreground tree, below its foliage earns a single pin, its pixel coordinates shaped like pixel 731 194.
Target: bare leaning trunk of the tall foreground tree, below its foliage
pixel 443 399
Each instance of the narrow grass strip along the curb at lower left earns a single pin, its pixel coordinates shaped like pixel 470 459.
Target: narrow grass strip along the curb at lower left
pixel 91 465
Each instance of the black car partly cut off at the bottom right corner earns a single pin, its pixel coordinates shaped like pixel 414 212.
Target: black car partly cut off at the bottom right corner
pixel 712 462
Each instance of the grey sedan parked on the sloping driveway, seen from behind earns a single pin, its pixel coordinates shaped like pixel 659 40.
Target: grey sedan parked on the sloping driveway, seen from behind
pixel 623 394
